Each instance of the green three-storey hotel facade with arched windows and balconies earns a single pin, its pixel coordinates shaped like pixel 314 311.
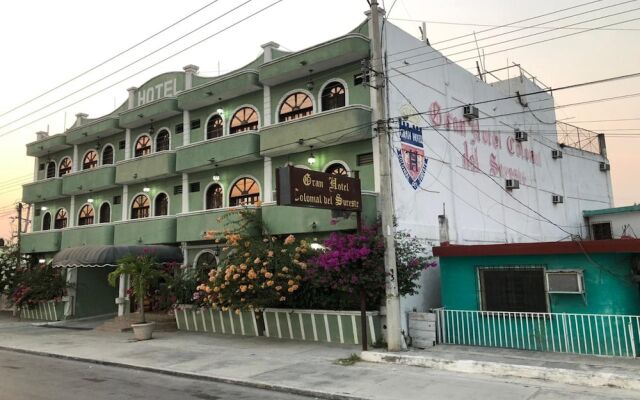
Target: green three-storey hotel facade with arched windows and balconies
pixel 184 150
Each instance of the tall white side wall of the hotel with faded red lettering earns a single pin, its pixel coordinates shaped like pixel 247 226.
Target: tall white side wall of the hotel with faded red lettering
pixel 479 210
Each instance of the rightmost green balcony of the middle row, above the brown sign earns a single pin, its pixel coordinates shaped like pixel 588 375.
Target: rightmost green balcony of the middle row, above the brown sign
pixel 342 125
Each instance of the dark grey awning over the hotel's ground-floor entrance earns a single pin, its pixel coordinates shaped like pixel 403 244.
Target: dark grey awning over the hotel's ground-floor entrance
pixel 108 256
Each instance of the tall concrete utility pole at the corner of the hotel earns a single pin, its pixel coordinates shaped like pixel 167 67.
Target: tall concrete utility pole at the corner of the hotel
pixel 394 327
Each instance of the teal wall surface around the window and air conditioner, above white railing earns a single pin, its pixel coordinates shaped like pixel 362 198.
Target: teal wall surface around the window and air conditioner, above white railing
pixel 608 290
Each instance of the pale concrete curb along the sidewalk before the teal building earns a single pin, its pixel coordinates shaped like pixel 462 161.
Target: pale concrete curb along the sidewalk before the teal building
pixel 560 375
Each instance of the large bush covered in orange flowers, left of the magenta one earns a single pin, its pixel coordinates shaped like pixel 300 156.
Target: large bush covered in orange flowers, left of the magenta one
pixel 255 272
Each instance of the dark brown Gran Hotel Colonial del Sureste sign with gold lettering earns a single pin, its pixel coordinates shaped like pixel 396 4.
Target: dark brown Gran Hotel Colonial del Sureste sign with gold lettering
pixel 305 188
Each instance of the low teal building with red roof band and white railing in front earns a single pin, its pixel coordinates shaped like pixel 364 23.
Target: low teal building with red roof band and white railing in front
pixel 579 297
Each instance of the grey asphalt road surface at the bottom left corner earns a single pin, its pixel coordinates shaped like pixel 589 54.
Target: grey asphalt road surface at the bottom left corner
pixel 30 377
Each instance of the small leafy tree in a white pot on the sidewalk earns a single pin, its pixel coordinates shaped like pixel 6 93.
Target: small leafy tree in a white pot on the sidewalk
pixel 143 272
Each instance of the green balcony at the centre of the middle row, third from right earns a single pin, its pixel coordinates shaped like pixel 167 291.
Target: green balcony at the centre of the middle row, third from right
pixel 154 166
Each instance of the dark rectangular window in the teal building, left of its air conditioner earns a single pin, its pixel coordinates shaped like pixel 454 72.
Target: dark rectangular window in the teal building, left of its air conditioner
pixel 513 289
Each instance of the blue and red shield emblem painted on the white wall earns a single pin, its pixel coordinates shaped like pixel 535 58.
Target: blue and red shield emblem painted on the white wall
pixel 411 154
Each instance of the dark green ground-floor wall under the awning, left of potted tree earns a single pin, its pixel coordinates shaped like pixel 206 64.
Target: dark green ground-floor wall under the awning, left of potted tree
pixel 94 295
